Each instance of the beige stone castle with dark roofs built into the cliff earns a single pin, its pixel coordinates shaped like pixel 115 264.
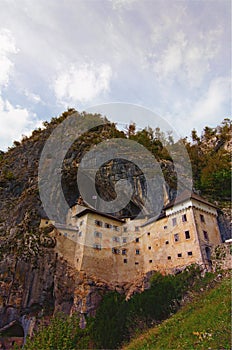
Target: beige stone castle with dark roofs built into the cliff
pixel 120 250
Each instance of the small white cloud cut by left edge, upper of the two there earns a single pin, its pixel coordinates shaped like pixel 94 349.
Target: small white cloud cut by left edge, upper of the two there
pixel 7 47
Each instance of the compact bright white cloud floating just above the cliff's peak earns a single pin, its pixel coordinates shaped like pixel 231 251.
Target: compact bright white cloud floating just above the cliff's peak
pixel 82 83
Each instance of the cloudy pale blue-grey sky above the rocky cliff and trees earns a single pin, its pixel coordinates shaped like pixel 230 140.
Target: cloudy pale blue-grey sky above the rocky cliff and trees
pixel 171 57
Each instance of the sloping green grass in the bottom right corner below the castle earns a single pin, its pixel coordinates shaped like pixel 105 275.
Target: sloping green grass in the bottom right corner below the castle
pixel 204 323
